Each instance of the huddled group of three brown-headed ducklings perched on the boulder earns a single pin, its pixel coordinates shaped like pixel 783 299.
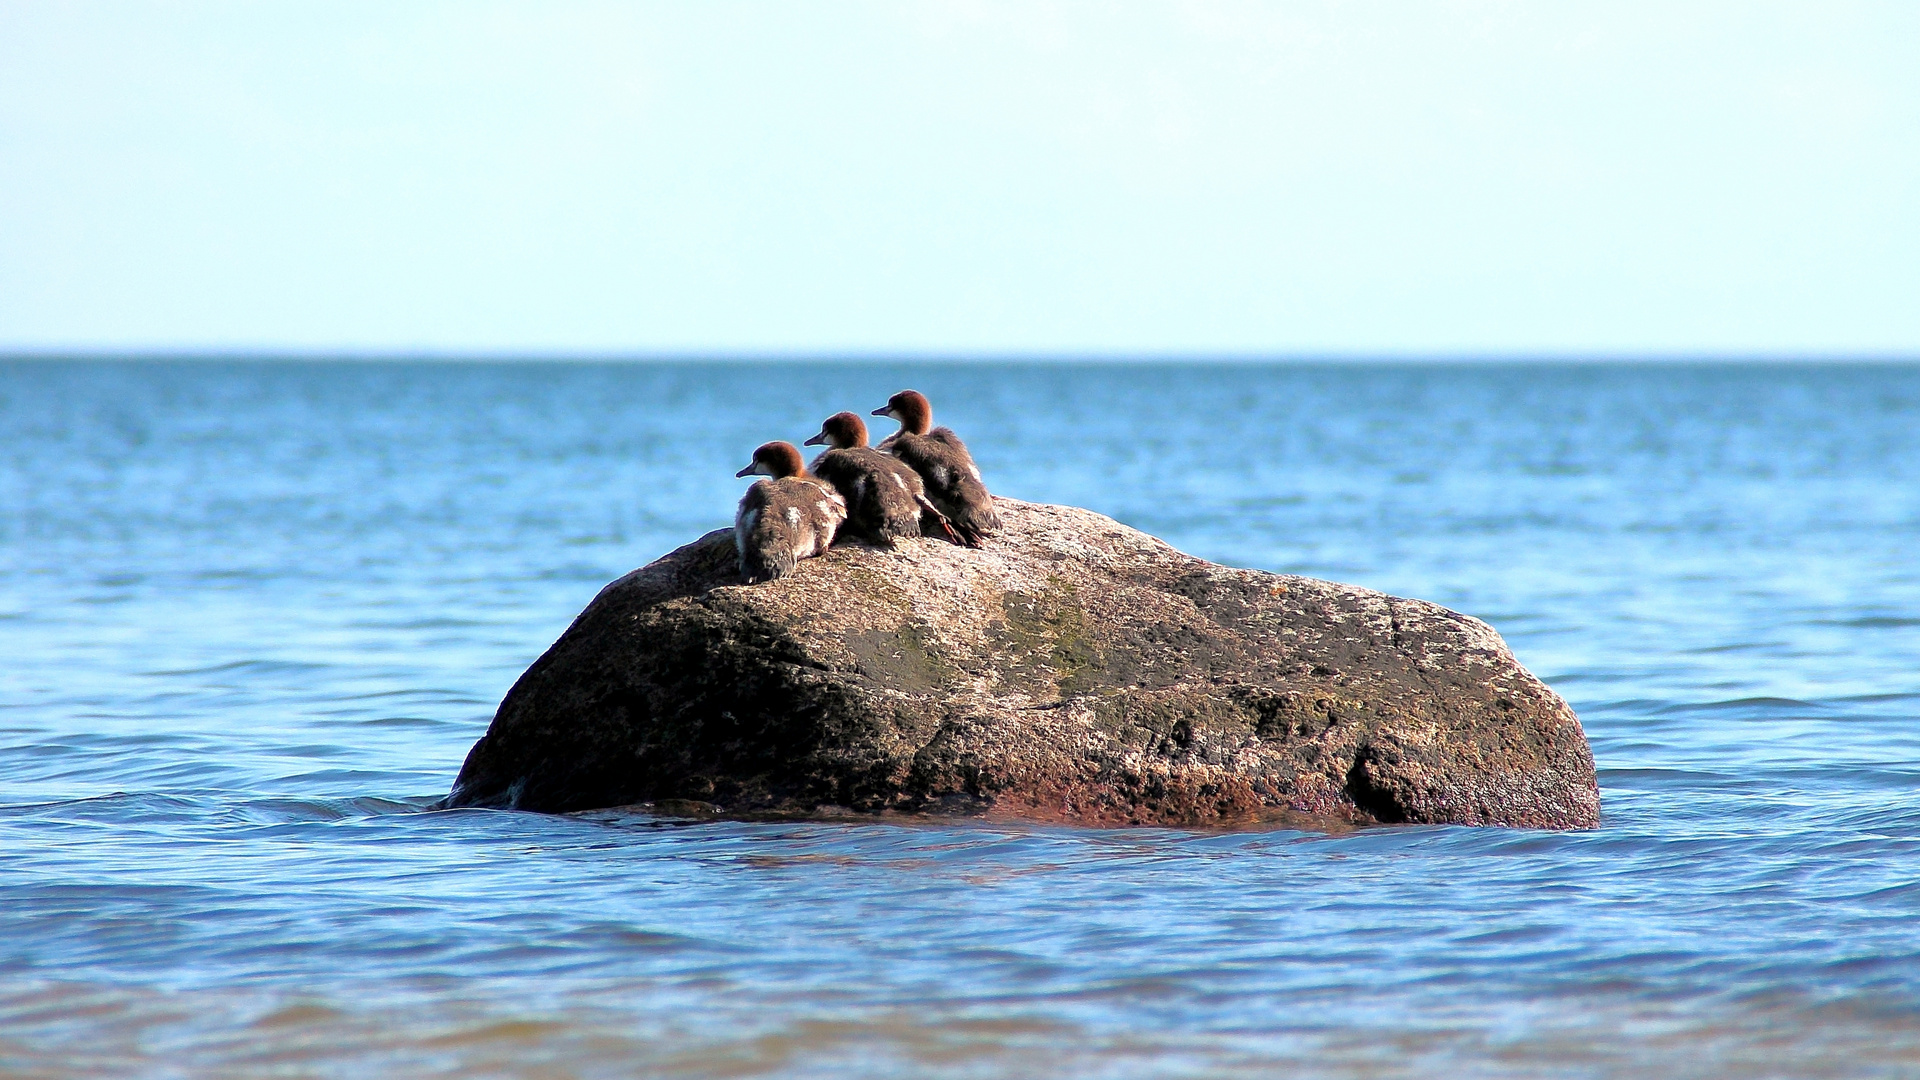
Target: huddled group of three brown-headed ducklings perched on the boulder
pixel 919 481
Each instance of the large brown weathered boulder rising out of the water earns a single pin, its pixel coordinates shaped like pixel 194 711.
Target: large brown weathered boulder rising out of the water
pixel 1074 670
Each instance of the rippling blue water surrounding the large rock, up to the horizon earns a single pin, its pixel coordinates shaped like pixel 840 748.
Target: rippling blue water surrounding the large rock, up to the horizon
pixel 252 616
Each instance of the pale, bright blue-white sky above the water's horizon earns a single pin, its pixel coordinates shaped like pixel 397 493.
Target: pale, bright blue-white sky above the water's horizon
pixel 961 178
